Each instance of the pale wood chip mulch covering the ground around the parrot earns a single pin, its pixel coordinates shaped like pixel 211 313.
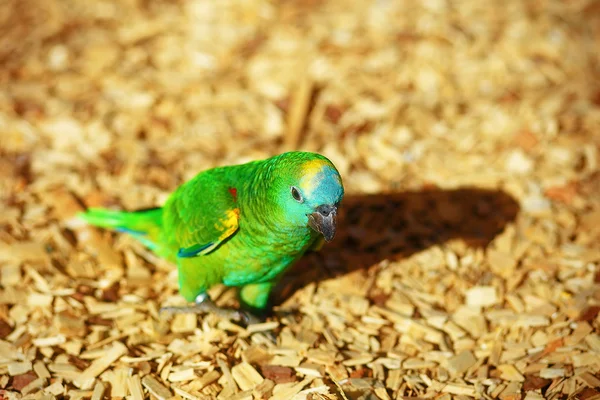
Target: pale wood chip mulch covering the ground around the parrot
pixel 467 262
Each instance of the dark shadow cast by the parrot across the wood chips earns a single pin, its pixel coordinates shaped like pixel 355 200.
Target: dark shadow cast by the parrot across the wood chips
pixel 372 228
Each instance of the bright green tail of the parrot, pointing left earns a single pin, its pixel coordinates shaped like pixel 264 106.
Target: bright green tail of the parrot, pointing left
pixel 144 225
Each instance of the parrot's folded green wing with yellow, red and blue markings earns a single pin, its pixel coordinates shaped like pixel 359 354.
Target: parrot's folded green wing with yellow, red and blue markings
pixel 202 215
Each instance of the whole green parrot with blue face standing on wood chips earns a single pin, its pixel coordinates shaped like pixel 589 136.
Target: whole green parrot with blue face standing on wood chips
pixel 240 225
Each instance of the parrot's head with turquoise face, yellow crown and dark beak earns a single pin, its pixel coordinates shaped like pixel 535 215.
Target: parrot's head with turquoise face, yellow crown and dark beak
pixel 309 190
